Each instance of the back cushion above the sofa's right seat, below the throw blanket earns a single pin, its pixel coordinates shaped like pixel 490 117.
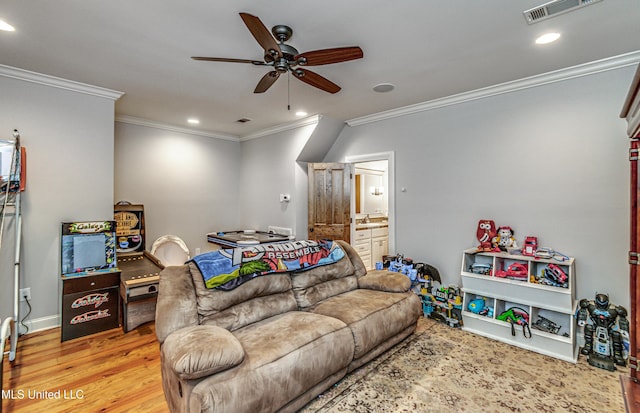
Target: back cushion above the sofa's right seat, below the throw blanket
pixel 317 284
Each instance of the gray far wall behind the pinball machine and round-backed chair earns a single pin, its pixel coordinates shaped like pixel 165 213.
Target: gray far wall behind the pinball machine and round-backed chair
pixel 187 183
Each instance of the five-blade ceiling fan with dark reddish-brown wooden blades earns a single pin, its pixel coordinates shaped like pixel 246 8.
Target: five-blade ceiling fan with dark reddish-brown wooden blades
pixel 284 58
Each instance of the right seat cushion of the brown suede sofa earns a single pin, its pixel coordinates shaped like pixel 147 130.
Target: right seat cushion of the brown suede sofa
pixel 373 316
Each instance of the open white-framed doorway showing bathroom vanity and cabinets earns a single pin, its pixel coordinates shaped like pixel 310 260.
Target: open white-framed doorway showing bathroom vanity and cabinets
pixel 372 206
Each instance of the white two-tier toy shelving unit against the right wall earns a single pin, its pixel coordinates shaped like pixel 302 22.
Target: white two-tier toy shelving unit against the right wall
pixel 542 302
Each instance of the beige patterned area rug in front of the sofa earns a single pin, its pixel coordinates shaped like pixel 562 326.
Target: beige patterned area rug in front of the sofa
pixel 444 369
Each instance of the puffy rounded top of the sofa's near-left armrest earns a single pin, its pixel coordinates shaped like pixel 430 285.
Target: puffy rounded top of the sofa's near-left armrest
pixel 200 351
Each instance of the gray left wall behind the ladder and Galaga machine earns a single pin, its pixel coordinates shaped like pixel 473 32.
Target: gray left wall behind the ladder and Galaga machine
pixel 69 140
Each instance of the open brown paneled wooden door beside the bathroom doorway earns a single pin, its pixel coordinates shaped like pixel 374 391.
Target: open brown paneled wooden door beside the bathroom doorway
pixel 329 201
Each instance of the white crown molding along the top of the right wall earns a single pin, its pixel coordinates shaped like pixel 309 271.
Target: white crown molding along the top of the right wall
pixel 586 69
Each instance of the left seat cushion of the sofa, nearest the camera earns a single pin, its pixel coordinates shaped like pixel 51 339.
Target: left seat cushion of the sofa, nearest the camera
pixel 285 356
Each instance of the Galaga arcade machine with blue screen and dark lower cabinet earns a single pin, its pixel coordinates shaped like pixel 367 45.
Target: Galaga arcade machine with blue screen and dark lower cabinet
pixel 90 278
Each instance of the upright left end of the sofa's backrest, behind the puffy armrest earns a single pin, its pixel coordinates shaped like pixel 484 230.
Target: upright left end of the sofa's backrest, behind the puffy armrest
pixel 176 306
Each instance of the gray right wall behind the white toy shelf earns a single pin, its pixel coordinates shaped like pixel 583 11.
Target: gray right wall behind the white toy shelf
pixel 549 161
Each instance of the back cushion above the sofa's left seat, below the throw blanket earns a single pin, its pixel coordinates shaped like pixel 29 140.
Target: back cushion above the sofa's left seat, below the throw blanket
pixel 255 300
